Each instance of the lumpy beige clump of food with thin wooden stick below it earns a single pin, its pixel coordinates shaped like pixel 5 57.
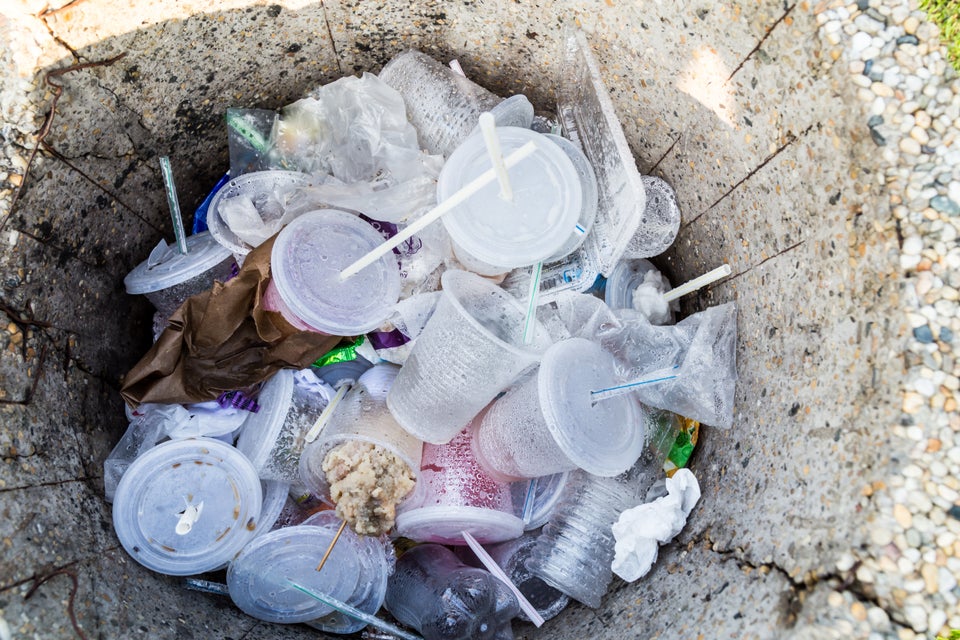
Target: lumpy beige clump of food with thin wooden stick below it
pixel 366 483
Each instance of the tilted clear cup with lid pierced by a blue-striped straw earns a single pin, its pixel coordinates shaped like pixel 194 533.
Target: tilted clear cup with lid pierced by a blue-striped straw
pixel 549 423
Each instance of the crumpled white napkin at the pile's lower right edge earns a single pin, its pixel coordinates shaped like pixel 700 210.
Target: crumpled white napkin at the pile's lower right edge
pixel 639 531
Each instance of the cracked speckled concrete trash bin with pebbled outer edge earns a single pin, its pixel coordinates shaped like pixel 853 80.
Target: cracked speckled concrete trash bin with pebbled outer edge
pixel 786 163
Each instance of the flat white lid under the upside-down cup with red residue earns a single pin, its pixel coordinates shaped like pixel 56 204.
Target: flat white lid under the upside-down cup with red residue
pixel 443 525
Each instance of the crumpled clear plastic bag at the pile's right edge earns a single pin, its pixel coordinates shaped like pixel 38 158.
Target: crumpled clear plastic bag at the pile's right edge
pixel 700 350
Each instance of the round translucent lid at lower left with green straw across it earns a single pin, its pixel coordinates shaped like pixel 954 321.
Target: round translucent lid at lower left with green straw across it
pixel 258 578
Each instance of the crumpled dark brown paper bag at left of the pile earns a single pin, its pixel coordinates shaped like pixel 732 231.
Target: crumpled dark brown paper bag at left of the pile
pixel 223 340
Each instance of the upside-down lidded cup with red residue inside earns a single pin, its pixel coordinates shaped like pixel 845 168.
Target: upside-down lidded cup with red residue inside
pixel 458 495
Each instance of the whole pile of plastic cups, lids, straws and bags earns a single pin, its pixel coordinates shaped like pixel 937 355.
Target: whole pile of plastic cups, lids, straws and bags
pixel 413 358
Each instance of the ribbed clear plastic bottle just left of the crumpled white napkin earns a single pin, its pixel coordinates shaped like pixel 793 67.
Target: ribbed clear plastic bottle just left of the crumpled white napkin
pixel 575 549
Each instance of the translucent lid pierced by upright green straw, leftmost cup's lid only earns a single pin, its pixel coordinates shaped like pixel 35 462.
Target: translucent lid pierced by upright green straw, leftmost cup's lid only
pixel 166 266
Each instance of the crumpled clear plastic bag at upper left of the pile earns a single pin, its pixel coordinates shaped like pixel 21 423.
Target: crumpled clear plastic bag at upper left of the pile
pixel 356 132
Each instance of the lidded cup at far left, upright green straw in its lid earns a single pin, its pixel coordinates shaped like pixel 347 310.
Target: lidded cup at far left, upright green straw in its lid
pixel 167 278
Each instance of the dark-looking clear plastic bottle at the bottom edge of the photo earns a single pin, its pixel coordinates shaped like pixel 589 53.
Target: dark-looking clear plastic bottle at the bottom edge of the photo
pixel 444 599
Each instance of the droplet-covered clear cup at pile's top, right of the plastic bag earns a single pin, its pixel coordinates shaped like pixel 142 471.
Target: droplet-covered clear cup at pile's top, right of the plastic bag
pixel 443 105
